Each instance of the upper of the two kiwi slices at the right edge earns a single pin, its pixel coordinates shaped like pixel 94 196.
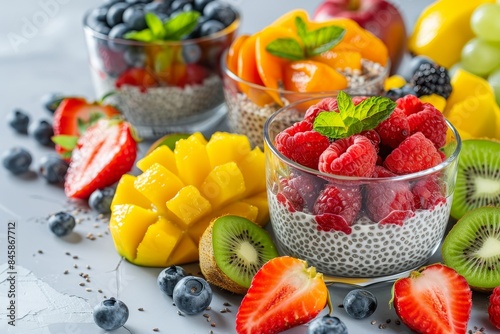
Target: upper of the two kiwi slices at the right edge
pixel 478 177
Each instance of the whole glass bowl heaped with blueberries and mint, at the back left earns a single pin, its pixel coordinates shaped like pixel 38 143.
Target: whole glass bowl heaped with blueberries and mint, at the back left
pixel 159 61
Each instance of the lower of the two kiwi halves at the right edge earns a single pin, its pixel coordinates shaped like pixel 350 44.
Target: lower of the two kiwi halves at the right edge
pixel 472 248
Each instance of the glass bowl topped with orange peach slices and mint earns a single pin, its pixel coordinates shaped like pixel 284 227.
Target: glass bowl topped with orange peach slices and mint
pixel 295 58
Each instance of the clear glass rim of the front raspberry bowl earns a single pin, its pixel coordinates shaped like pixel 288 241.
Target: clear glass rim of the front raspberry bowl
pixel 270 145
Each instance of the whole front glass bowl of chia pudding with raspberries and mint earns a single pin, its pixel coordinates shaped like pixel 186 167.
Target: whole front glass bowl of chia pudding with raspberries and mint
pixel 360 187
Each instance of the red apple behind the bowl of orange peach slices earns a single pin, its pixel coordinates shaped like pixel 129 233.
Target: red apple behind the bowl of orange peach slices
pixel 380 17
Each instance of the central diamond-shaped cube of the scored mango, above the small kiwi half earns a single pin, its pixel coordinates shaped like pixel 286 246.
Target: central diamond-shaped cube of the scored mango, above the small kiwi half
pixel 189 205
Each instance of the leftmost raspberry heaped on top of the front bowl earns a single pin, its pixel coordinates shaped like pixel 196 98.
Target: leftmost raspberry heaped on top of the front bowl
pixel 301 144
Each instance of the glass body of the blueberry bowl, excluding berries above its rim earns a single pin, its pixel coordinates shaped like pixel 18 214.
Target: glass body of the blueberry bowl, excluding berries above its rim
pixel 161 87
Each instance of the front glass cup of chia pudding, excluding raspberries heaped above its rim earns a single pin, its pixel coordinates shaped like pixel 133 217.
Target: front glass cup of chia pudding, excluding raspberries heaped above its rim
pixel 362 228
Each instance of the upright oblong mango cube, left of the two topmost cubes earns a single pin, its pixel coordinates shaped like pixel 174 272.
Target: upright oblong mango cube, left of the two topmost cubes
pixel 192 160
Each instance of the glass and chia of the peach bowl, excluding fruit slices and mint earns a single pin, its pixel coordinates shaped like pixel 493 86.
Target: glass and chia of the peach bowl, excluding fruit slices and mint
pixel 249 105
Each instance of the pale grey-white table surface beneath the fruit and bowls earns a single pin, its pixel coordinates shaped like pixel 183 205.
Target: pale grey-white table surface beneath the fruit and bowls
pixel 52 58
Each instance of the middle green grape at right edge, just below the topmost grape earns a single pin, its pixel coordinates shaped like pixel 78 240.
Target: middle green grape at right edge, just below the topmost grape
pixel 480 57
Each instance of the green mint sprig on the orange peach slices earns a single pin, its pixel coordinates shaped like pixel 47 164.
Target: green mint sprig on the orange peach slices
pixel 314 42
